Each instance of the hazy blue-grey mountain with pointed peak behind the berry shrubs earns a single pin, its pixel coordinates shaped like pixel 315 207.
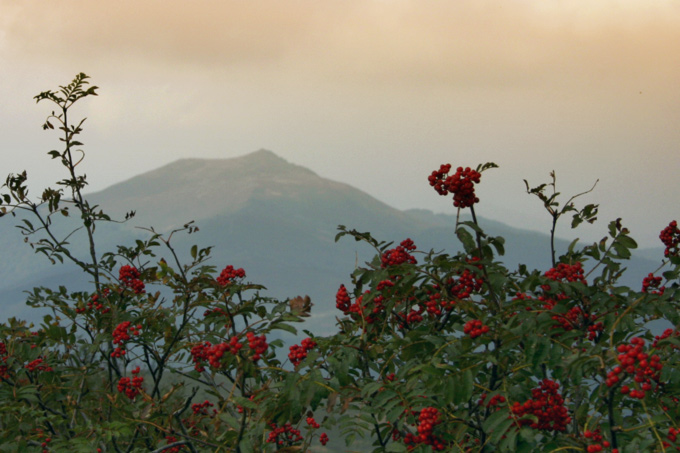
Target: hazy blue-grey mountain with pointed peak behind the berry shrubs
pixel 275 219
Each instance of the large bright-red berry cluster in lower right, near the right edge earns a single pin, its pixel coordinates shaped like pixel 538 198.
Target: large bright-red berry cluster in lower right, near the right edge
pixel 634 361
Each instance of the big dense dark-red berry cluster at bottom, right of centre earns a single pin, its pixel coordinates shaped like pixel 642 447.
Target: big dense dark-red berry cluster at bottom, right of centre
pixel 546 405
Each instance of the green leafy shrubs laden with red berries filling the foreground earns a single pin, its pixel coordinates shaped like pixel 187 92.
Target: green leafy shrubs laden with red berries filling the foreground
pixel 434 352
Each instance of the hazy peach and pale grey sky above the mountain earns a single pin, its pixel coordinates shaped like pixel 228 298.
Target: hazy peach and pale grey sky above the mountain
pixel 374 93
